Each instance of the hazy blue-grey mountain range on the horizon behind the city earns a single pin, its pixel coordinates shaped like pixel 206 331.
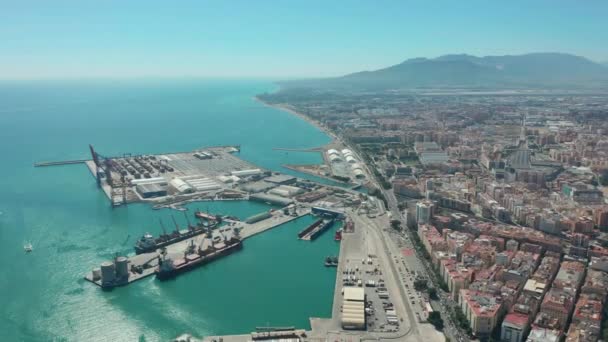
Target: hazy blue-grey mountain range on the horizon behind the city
pixel 534 70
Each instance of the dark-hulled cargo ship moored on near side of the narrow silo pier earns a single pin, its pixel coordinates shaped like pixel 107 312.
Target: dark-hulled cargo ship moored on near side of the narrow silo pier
pixel 170 268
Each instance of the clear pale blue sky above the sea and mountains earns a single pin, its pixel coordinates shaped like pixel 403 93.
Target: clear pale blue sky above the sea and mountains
pixel 65 39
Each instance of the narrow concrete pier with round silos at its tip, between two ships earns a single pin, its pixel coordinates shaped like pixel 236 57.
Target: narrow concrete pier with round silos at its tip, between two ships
pixel 126 270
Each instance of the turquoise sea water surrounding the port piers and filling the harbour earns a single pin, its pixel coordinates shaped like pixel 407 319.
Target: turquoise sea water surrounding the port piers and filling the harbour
pixel 276 279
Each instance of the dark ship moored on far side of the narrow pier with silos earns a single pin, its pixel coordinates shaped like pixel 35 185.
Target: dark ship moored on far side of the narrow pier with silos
pixel 148 243
